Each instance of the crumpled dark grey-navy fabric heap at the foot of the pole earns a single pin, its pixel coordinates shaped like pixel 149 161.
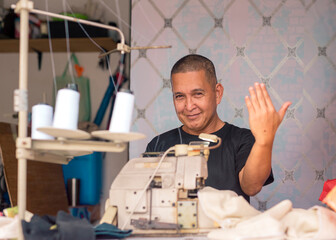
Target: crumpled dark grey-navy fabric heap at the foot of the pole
pixel 68 228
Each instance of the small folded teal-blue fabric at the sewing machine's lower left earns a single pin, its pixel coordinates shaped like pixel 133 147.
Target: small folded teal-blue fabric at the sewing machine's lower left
pixel 109 231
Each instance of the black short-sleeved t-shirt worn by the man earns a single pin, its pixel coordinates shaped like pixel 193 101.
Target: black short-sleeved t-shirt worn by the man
pixel 224 163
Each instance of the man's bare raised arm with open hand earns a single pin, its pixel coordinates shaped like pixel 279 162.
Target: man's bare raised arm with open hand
pixel 264 121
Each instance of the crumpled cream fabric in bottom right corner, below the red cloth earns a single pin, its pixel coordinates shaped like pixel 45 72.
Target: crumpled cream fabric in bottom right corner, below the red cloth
pixel 315 223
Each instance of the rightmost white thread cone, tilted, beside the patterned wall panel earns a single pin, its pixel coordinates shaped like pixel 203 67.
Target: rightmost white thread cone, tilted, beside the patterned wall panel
pixel 122 112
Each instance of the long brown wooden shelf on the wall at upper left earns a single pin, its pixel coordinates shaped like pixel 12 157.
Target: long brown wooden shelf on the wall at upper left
pixel 58 45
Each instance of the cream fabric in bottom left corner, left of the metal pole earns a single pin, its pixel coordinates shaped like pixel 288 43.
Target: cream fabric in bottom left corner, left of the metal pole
pixel 9 227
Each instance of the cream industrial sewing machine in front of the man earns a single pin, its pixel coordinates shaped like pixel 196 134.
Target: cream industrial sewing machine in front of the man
pixel 159 194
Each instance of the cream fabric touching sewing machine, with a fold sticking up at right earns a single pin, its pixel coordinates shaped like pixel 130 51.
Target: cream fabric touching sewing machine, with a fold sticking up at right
pixel 239 219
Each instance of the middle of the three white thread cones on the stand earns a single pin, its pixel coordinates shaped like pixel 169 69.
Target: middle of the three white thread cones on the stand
pixel 66 109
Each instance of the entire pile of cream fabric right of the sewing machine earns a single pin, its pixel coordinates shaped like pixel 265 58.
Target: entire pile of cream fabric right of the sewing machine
pixel 239 220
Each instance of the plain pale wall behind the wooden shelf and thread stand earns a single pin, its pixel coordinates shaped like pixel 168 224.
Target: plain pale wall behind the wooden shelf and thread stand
pixel 40 81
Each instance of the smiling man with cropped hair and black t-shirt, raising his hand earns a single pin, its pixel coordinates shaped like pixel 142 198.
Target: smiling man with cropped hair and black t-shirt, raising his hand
pixel 243 162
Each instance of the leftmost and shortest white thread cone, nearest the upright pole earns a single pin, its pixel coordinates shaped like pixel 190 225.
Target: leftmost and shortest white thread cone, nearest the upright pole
pixel 42 116
